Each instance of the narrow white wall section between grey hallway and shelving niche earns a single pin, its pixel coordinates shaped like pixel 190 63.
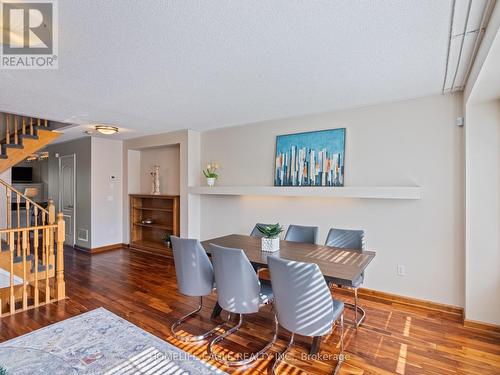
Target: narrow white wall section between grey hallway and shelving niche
pixel 106 193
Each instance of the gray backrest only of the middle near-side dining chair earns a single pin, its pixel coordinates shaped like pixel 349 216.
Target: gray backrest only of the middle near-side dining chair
pixel 238 287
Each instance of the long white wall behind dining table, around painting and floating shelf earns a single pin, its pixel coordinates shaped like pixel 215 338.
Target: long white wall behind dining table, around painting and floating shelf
pixel 414 142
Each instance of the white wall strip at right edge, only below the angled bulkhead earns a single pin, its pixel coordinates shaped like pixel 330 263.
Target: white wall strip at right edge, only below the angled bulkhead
pixel 483 212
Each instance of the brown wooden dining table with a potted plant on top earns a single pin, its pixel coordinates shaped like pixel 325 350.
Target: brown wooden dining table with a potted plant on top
pixel 337 265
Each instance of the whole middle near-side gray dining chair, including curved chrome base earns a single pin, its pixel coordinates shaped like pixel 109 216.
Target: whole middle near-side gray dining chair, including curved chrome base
pixel 238 292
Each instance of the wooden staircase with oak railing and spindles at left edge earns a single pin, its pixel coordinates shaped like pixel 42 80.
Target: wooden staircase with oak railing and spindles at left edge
pixel 31 236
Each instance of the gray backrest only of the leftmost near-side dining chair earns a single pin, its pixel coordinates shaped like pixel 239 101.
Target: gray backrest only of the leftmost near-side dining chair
pixel 195 274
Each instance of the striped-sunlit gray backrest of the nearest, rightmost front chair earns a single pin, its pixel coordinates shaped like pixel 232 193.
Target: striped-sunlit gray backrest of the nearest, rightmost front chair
pixel 302 298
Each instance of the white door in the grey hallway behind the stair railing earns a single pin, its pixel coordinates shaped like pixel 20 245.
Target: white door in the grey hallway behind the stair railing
pixel 67 169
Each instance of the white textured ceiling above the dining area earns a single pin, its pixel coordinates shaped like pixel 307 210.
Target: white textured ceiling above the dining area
pixel 157 65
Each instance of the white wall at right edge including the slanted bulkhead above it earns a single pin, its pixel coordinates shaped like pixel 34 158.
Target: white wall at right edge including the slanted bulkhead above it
pixel 482 140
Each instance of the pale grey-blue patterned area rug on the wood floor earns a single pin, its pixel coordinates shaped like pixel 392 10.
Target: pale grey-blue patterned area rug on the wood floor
pixel 96 342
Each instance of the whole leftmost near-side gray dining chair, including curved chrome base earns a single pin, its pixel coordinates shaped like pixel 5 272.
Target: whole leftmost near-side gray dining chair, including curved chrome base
pixel 195 278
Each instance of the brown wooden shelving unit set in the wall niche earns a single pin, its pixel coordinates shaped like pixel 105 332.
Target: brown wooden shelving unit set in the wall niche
pixel 164 211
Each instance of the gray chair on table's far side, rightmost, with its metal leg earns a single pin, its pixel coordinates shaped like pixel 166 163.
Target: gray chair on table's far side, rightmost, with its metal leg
pixel 353 240
